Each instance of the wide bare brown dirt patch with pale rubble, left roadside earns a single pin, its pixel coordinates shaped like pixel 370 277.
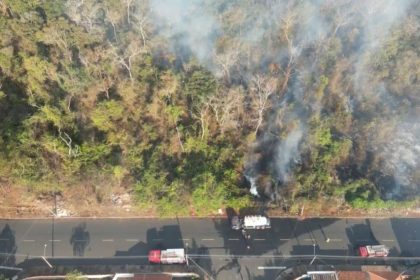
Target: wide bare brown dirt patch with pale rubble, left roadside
pixel 81 201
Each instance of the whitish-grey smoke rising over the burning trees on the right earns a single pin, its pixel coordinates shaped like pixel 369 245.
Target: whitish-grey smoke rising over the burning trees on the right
pixel 302 36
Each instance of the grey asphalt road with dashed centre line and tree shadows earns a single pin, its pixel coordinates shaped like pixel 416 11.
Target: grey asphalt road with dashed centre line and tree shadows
pixel 211 243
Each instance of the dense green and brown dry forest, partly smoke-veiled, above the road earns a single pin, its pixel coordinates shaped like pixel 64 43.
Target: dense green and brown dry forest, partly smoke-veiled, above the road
pixel 203 104
